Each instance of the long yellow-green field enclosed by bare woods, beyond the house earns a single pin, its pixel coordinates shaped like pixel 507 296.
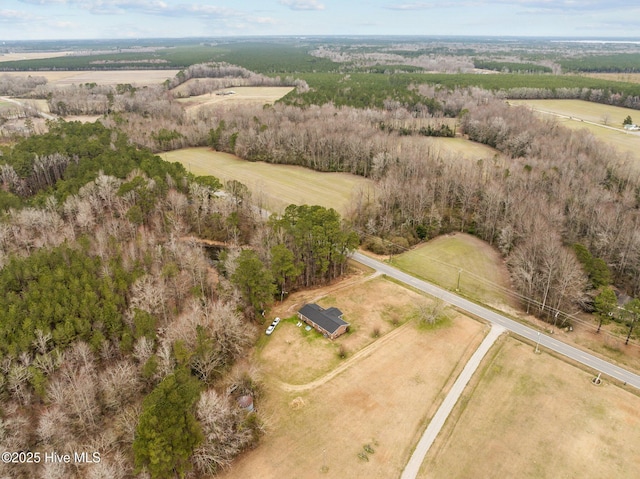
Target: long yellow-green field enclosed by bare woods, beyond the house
pixel 275 186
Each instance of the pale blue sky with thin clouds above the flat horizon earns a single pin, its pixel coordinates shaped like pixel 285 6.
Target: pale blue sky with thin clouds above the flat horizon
pixel 102 19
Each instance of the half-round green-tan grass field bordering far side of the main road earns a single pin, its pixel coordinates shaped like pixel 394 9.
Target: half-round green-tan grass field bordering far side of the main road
pixel 483 274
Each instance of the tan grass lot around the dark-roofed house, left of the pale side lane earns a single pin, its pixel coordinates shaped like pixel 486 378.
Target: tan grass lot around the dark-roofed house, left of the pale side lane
pixel 382 398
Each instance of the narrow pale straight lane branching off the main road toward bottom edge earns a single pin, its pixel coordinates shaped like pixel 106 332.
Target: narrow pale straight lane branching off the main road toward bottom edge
pixel 441 415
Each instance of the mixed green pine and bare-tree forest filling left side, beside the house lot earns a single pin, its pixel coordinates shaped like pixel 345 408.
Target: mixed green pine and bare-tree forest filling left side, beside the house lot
pixel 111 306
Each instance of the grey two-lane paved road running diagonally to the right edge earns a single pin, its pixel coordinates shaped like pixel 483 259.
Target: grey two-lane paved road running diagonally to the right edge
pixel 599 365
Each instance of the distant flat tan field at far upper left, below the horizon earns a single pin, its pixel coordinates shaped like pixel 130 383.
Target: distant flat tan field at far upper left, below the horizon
pixel 113 77
